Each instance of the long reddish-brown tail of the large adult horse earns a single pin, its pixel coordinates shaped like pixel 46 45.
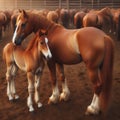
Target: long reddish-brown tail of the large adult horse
pixel 106 71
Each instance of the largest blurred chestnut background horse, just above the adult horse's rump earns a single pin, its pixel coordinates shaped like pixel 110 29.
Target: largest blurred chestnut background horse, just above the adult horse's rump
pixel 102 19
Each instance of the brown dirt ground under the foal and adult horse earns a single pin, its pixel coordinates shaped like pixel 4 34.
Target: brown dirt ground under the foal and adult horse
pixel 74 109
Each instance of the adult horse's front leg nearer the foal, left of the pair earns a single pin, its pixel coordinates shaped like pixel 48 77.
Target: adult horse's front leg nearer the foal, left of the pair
pixel 55 94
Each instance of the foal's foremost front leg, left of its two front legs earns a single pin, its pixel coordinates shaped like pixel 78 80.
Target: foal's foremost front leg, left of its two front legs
pixel 30 77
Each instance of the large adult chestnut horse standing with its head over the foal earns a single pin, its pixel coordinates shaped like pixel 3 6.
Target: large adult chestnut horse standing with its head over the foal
pixel 90 45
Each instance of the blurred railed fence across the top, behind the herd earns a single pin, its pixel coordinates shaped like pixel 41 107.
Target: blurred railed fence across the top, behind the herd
pixel 53 4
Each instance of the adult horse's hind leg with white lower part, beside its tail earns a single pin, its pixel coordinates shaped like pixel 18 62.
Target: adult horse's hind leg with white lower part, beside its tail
pixel 94 107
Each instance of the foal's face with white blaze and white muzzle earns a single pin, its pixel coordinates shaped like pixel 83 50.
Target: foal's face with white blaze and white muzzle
pixel 44 48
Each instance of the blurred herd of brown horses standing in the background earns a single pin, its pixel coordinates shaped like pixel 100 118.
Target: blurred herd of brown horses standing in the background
pixel 106 19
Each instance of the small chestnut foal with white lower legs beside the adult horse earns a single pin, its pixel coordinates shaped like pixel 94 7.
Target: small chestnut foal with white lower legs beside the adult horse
pixel 29 60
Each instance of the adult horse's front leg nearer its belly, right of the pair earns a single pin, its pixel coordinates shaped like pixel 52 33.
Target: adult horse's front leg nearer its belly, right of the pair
pixel 65 90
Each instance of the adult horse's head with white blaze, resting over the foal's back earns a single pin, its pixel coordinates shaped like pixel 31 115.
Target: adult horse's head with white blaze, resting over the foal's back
pixel 22 28
